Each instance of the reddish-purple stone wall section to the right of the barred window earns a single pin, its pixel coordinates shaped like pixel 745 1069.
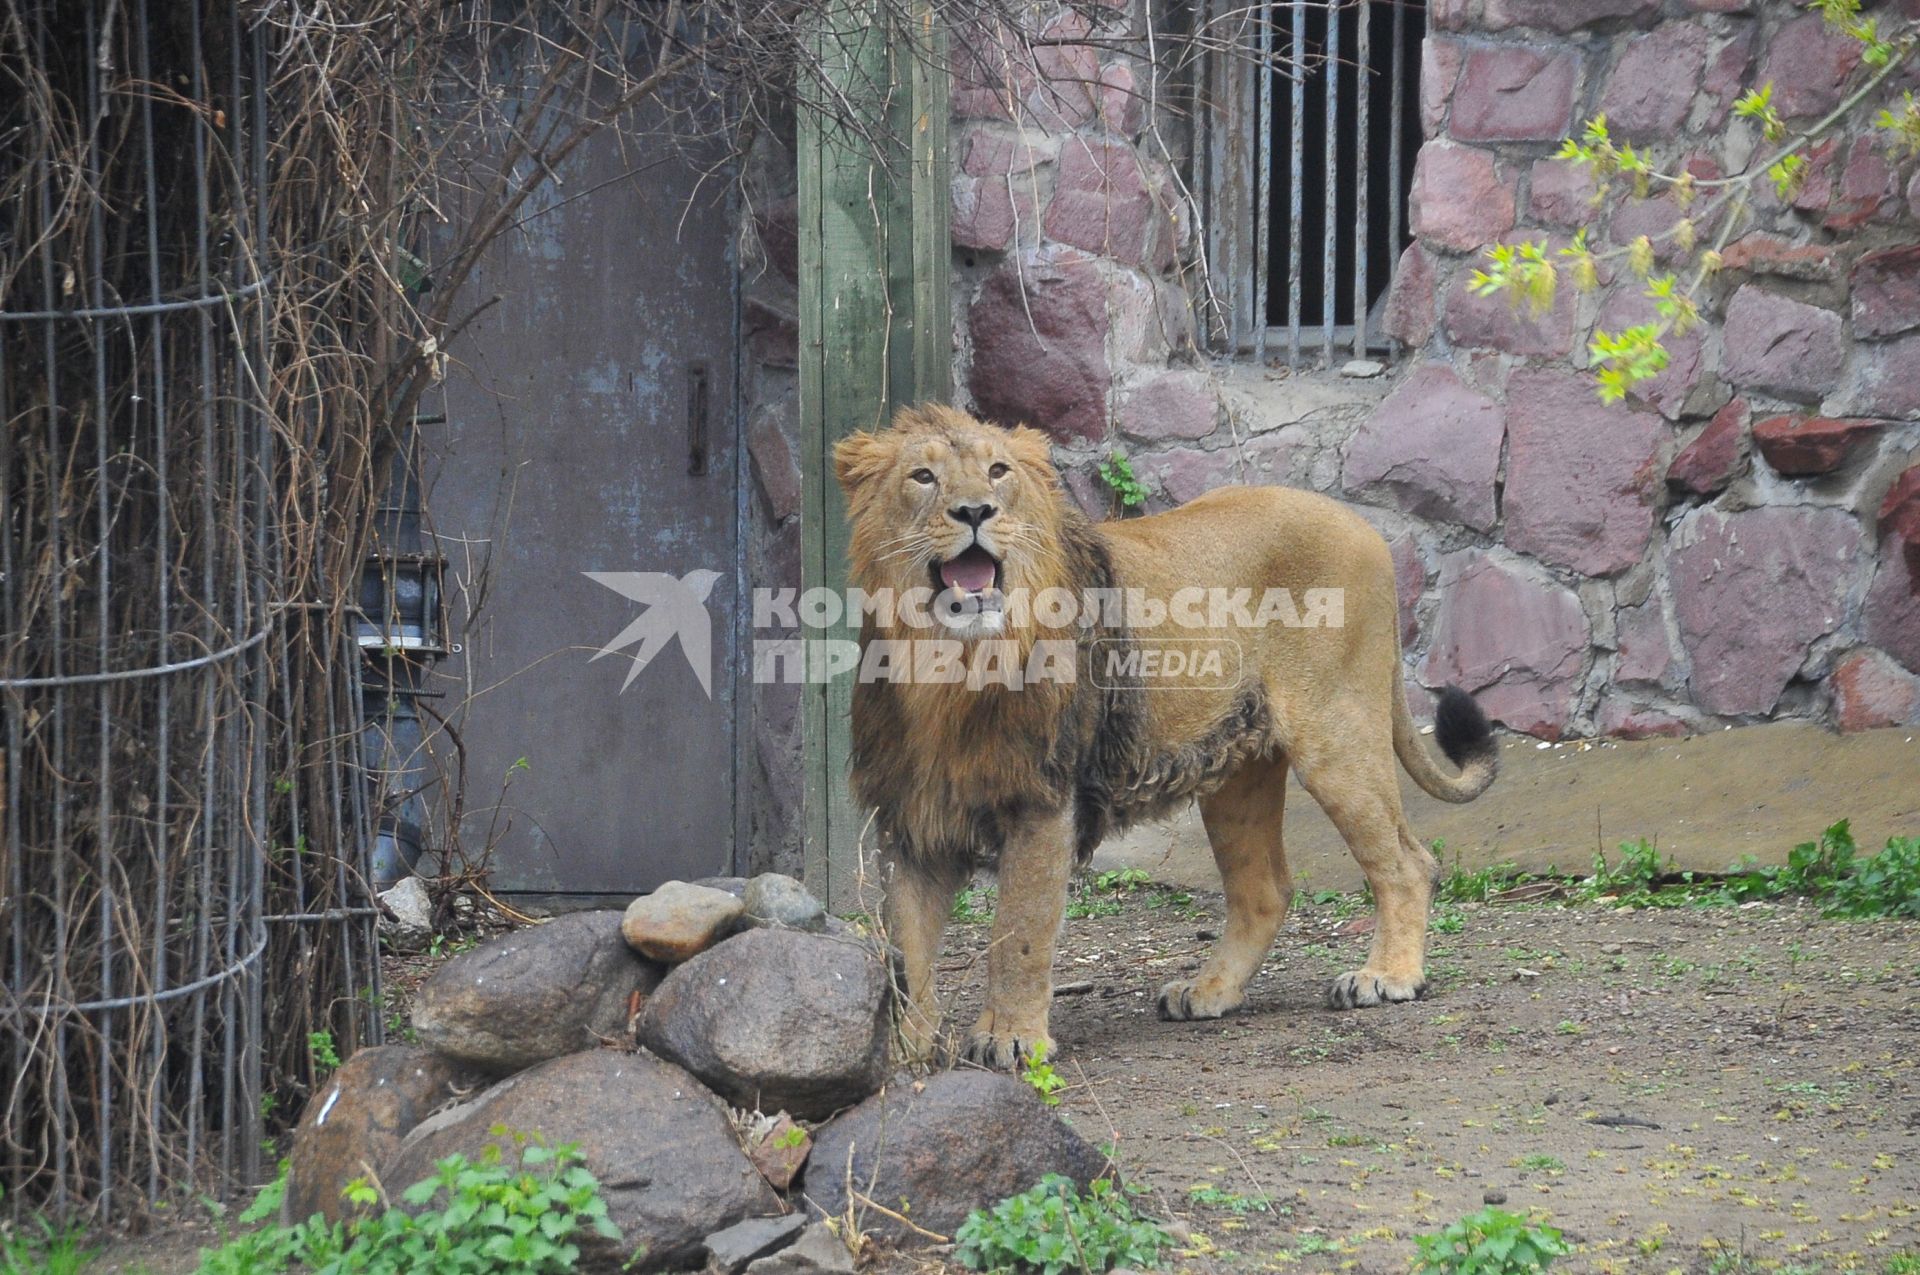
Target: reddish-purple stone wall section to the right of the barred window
pixel 1735 542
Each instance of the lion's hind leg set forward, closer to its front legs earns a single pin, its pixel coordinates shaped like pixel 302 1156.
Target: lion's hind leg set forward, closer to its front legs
pixel 1243 825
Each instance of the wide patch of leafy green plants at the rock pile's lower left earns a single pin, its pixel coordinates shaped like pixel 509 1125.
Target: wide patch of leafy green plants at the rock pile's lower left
pixel 471 1216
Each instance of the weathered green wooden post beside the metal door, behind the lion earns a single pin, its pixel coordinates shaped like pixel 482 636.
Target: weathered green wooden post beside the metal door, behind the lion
pixel 876 329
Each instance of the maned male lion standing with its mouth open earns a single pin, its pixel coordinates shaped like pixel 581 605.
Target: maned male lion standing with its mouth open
pixel 986 769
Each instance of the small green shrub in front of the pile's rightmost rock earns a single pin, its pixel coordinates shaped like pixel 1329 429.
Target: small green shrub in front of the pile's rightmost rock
pixel 1053 1228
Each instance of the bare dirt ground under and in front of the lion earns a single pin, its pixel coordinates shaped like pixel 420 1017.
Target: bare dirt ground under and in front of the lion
pixel 1664 1086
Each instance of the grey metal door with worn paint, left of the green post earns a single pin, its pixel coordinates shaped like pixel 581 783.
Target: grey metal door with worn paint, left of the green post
pixel 588 429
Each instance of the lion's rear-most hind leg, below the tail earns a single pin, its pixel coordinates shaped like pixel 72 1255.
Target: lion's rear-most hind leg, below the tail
pixel 1360 792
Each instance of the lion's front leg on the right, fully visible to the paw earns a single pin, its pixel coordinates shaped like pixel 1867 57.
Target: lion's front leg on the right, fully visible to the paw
pixel 1036 867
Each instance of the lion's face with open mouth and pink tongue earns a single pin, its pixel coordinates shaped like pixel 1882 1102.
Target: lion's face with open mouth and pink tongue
pixel 963 510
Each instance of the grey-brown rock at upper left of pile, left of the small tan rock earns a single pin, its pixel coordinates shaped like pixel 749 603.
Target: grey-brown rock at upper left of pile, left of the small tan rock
pixel 535 994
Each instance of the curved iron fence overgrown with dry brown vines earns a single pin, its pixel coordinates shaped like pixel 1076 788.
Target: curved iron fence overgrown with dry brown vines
pixel 181 819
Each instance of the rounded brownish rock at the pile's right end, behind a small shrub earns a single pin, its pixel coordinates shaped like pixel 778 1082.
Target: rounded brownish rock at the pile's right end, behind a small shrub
pixel 944 1147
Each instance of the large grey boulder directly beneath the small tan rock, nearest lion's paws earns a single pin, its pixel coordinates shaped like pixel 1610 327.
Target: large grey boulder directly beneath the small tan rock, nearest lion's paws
pixel 779 1021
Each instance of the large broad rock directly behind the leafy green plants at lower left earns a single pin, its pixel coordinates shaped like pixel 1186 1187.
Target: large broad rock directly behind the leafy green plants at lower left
pixel 661 1147
